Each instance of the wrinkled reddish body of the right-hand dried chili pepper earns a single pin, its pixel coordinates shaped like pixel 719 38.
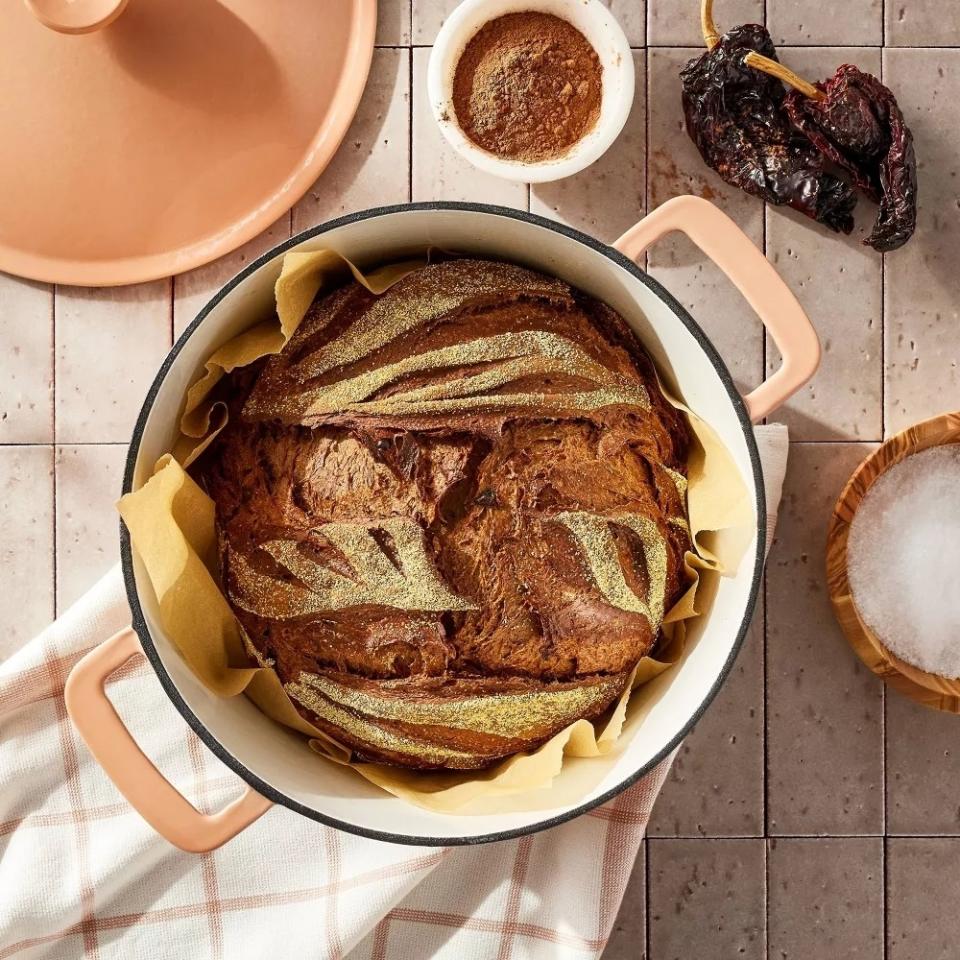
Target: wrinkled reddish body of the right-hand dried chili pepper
pixel 859 126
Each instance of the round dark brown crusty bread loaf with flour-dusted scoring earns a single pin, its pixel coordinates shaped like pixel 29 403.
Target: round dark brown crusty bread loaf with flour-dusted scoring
pixel 451 516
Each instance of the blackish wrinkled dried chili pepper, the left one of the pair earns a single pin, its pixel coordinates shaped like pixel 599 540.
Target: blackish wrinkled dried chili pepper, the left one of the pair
pixel 735 115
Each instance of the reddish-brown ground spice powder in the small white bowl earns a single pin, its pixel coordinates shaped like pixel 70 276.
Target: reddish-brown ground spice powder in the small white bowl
pixel 527 87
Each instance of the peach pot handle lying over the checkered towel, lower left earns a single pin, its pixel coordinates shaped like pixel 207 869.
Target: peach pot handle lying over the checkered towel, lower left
pixel 149 792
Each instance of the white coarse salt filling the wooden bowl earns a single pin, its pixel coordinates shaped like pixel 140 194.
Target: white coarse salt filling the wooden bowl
pixel 903 559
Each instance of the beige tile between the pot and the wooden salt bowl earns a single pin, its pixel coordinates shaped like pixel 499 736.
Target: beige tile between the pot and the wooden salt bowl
pixel 824 708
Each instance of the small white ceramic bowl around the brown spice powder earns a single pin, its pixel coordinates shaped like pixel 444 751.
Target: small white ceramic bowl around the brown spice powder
pixel 595 22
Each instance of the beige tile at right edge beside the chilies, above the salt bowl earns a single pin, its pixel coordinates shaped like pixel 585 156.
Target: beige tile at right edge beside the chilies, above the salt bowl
pixel 921 280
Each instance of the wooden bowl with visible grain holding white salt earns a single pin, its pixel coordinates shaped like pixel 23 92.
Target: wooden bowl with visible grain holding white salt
pixel 926 688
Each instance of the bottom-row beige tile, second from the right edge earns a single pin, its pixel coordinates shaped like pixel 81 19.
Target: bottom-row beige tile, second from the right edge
pixel 826 899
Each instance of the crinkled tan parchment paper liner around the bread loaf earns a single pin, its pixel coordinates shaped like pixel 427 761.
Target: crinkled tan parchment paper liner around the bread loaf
pixel 171 524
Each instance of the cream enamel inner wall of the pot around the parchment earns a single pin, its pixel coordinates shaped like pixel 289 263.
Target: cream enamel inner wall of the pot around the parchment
pixel 280 761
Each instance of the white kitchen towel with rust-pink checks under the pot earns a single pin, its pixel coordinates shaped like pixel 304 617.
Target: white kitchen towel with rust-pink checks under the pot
pixel 82 875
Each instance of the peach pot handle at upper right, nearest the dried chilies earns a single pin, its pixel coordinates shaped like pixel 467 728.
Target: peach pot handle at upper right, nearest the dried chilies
pixel 753 275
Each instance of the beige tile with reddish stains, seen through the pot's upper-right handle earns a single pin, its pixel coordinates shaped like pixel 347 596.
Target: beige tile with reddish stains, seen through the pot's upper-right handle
pixel 674 166
